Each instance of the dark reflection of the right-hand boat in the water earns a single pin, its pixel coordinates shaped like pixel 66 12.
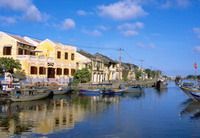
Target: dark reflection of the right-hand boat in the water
pixel 191 108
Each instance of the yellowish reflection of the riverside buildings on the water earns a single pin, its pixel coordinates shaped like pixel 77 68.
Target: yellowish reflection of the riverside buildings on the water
pixel 51 115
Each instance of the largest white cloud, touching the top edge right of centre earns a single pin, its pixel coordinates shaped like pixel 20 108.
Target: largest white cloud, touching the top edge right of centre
pixel 122 10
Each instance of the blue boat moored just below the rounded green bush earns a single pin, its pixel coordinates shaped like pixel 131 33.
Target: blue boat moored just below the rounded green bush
pixel 87 92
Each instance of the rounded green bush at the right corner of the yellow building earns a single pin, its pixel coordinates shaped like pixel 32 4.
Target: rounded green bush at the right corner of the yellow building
pixel 82 76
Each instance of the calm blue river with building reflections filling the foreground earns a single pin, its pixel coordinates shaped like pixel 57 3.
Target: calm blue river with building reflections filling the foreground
pixel 149 114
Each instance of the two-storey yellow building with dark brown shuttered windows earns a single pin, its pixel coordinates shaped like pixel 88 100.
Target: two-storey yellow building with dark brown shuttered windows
pixel 42 61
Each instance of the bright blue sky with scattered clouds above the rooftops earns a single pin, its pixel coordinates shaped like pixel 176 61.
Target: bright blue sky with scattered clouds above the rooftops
pixel 165 34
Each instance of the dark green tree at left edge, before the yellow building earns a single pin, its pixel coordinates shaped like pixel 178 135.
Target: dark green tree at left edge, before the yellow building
pixel 9 64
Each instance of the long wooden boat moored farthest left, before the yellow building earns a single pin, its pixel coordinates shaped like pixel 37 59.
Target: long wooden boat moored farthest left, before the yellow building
pixel 28 95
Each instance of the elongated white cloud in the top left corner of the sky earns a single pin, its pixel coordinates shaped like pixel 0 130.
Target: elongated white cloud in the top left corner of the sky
pixel 29 10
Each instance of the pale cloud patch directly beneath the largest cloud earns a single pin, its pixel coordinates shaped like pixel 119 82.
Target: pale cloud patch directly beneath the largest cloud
pixel 130 29
